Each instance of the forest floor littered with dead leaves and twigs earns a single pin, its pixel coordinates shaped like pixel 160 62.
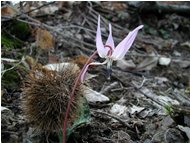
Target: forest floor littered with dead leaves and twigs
pixel 149 90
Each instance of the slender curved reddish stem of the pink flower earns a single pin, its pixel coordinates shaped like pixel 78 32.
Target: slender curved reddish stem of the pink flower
pixel 77 81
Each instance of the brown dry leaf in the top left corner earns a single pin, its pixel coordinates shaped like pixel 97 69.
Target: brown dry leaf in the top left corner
pixel 8 10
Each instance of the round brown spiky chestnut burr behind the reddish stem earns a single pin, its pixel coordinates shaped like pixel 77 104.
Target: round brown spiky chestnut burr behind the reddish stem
pixel 46 95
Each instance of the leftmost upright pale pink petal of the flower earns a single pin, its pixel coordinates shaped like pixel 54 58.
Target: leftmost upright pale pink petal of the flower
pixel 102 52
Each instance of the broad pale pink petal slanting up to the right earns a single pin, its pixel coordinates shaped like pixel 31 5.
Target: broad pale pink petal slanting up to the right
pixel 125 44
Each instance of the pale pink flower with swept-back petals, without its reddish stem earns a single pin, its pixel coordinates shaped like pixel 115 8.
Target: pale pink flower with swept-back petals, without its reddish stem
pixel 109 51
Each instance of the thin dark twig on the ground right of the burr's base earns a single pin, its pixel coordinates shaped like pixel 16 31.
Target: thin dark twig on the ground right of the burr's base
pixel 123 122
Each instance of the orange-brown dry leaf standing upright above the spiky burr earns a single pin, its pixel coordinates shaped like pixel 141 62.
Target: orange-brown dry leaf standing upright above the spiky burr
pixel 44 39
